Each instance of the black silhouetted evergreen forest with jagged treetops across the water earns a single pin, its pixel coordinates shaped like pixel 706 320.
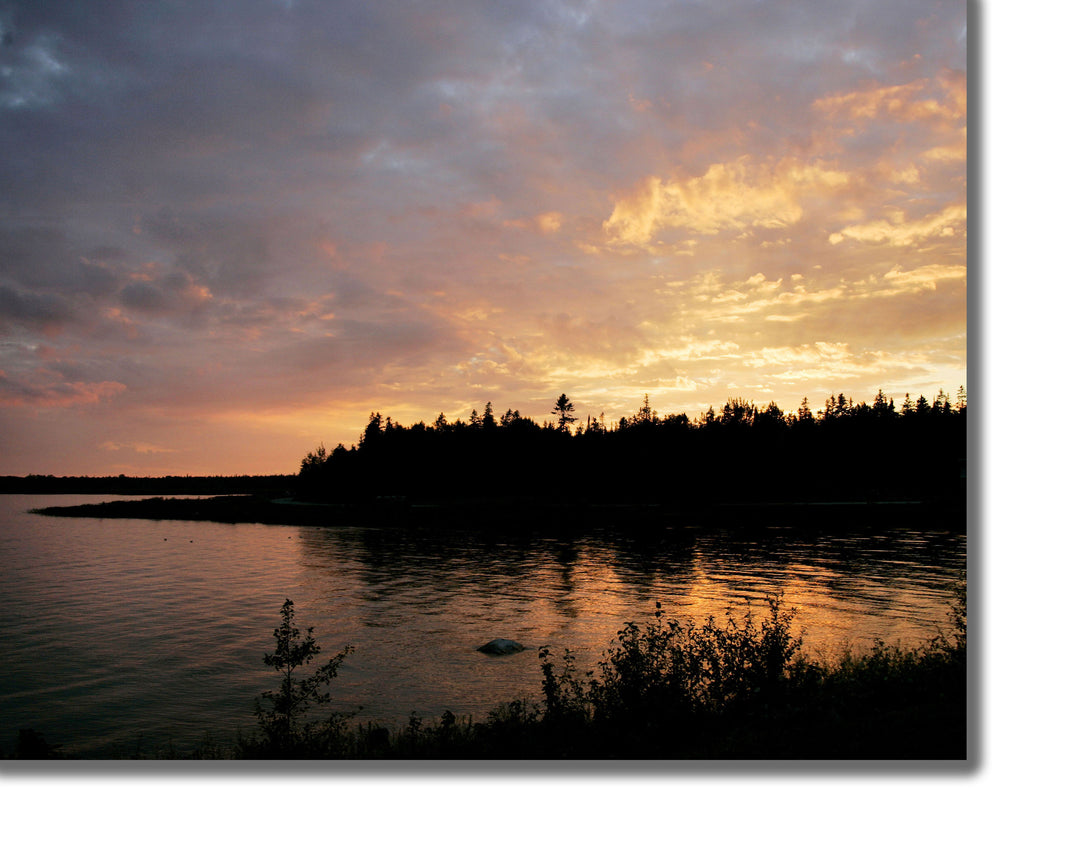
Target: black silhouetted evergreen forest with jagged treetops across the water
pixel 846 450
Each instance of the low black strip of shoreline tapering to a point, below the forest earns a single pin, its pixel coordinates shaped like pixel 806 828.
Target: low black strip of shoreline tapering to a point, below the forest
pixel 516 514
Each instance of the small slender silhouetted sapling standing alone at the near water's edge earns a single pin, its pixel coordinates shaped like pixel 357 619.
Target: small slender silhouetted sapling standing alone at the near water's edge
pixel 285 733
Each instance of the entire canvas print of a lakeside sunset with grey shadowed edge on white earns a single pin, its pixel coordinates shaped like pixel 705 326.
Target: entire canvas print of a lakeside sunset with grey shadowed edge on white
pixel 475 381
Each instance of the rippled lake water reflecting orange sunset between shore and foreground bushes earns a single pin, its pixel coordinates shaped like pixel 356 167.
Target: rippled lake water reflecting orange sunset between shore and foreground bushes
pixel 131 636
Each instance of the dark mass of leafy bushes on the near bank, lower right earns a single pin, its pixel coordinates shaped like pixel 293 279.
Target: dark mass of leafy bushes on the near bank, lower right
pixel 740 689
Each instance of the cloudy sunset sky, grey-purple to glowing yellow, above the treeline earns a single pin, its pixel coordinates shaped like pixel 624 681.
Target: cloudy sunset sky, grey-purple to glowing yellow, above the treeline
pixel 232 232
